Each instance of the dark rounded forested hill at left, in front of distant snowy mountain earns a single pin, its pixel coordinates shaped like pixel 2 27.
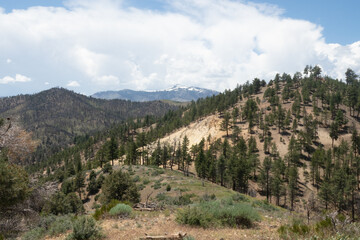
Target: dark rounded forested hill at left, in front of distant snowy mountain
pixel 57 115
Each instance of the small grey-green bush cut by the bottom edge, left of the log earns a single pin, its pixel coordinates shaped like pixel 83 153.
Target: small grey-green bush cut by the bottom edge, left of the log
pixel 85 228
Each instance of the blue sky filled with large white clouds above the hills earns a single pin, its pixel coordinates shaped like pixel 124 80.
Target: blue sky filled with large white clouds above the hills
pixel 96 45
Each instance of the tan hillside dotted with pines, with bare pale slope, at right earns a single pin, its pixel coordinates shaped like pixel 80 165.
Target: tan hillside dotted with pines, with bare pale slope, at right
pixel 283 124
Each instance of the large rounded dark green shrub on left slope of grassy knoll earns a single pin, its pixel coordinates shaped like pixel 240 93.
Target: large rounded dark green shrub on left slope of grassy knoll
pixel 119 185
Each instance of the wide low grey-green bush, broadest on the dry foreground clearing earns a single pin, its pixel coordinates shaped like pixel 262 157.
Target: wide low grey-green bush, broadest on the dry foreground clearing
pixel 216 213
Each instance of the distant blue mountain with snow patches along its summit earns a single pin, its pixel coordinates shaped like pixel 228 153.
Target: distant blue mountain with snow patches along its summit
pixel 177 93
